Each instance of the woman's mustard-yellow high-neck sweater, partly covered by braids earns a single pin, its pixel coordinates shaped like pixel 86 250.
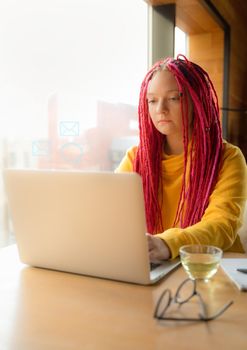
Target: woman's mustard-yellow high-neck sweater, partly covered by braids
pixel 224 214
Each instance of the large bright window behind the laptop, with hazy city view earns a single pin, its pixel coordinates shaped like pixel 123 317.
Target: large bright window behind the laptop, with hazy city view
pixel 70 77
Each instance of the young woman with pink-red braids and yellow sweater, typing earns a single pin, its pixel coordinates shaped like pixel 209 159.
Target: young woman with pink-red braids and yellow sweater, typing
pixel 194 182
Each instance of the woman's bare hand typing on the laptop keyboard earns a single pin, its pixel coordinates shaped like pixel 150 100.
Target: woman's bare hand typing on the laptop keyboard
pixel 157 249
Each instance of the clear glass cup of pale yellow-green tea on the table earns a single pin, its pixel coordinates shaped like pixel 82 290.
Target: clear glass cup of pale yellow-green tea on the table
pixel 200 261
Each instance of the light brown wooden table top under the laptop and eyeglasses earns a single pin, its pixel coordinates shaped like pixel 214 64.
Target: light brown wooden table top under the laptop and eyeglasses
pixel 48 310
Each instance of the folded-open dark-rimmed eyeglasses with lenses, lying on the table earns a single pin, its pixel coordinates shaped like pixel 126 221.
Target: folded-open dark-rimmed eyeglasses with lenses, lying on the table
pixel 185 292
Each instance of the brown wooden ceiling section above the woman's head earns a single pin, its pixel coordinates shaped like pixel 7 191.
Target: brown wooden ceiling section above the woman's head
pixel 191 16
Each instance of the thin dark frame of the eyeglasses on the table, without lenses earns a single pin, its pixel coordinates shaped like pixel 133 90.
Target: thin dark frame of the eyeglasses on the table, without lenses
pixel 175 299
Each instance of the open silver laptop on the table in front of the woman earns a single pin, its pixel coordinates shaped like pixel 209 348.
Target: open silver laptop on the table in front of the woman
pixel 85 223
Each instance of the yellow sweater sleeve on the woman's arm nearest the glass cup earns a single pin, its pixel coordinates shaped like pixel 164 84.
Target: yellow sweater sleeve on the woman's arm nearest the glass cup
pixel 224 214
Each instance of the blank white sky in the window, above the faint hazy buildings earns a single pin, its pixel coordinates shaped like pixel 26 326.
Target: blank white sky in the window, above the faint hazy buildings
pixel 82 51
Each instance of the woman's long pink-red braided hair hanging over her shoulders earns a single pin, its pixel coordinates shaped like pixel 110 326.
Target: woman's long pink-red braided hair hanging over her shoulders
pixel 202 160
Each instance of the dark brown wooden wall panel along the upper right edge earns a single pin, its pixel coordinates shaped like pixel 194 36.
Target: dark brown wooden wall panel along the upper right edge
pixel 235 13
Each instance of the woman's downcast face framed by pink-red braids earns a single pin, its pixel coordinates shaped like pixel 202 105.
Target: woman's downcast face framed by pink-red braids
pixel 164 106
